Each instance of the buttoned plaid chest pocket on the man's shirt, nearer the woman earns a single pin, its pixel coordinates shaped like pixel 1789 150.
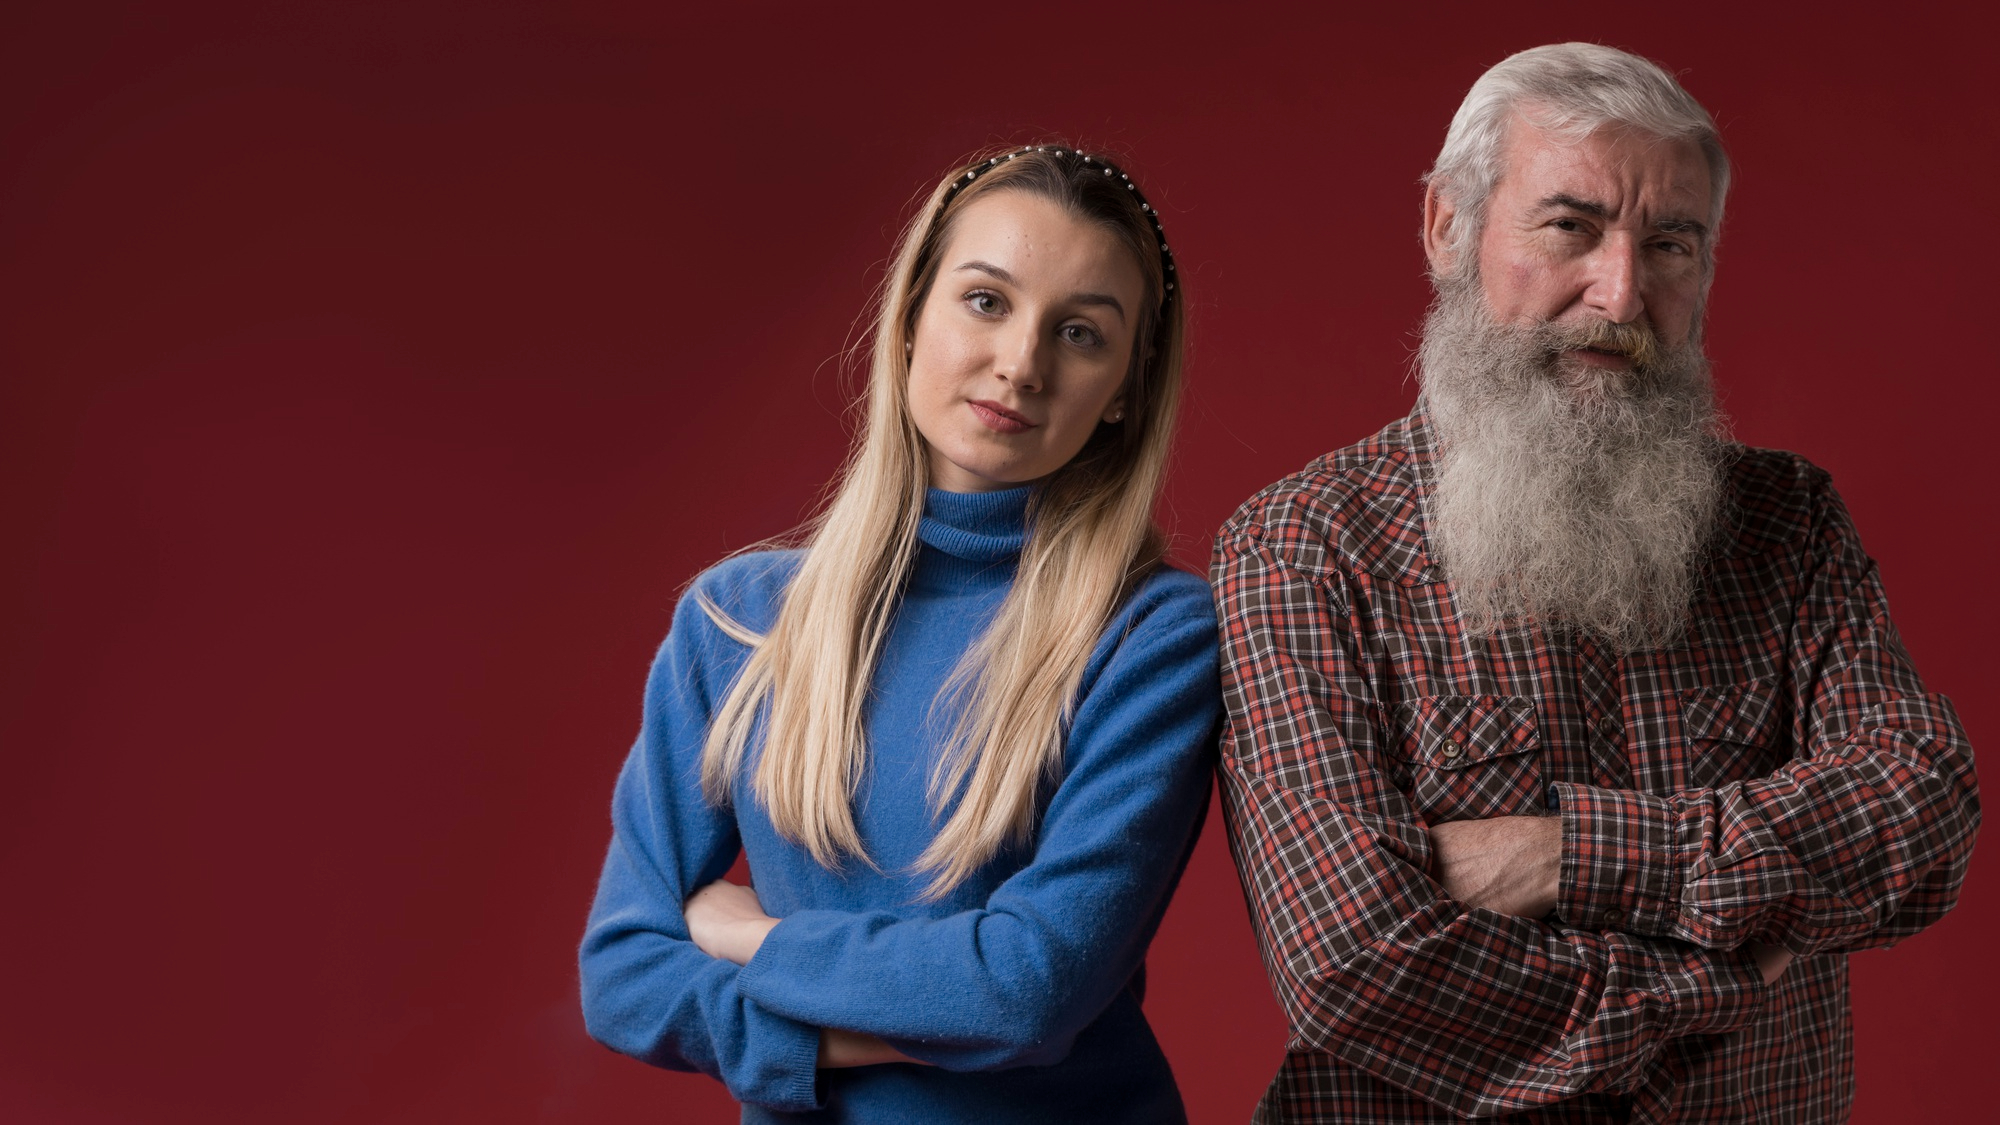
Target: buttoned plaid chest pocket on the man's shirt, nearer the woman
pixel 1473 758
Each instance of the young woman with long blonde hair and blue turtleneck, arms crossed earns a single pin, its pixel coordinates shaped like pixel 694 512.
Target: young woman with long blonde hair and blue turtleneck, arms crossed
pixel 965 734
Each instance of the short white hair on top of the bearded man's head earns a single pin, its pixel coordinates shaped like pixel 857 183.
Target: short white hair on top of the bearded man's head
pixel 1569 89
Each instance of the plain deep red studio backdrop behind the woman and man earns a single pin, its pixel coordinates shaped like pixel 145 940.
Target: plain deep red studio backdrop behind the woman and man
pixel 375 375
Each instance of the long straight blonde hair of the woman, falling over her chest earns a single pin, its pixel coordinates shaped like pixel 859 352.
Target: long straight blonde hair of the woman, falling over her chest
pixel 1091 541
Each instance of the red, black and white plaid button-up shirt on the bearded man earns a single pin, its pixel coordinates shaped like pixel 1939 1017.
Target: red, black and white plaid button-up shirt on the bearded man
pixel 1781 776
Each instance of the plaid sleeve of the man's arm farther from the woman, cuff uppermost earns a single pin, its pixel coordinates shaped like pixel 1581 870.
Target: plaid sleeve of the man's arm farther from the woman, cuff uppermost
pixel 1859 840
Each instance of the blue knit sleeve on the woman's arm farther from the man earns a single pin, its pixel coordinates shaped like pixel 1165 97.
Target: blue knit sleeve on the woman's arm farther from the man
pixel 649 992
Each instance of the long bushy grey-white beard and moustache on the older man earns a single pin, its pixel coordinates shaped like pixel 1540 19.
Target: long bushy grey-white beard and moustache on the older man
pixel 1579 499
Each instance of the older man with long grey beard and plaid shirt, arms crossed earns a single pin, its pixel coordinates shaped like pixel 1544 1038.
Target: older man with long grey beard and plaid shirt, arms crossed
pixel 1571 746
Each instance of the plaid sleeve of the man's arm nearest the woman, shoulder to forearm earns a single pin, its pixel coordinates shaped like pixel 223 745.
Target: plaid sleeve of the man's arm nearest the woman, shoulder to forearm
pixel 1373 962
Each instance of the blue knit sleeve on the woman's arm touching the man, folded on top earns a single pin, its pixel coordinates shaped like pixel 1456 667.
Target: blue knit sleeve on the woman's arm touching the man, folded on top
pixel 1017 980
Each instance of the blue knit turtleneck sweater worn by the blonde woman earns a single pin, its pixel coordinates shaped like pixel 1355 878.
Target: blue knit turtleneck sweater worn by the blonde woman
pixel 1023 986
